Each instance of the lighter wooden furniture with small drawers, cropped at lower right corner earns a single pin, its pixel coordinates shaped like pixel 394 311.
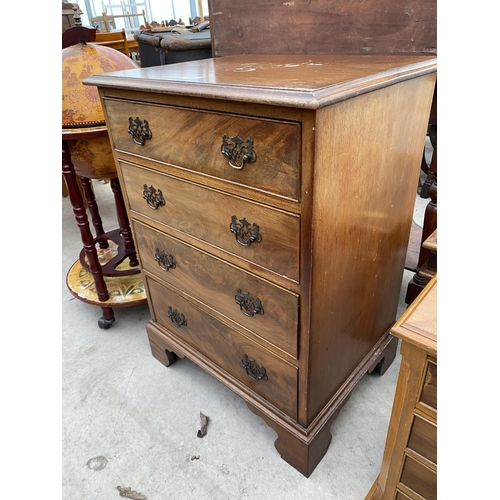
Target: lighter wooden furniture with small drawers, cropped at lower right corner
pixel 409 465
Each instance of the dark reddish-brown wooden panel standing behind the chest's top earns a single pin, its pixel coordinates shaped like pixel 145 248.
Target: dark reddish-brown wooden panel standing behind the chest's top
pixel 323 27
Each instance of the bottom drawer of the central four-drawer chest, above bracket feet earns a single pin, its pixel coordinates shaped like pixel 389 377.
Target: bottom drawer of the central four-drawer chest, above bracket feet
pixel 260 370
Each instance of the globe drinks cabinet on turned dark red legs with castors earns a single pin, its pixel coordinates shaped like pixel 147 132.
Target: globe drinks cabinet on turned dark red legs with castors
pixel 106 273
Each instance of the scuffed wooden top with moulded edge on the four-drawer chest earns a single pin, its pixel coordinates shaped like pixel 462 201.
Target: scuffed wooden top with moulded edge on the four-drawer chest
pixel 303 81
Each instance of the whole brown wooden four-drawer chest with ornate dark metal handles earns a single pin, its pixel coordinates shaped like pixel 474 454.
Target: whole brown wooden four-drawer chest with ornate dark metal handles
pixel 271 199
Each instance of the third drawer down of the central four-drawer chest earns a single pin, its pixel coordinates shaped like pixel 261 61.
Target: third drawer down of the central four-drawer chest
pixel 256 304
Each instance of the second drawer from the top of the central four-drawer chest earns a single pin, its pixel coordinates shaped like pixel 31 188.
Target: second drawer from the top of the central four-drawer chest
pixel 257 233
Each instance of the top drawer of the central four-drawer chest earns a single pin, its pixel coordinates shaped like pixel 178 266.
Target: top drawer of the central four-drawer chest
pixel 194 140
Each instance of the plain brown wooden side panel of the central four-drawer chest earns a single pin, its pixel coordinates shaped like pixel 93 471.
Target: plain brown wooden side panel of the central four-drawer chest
pixel 368 153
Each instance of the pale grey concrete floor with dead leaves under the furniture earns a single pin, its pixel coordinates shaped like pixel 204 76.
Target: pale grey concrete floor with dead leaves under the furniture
pixel 128 421
